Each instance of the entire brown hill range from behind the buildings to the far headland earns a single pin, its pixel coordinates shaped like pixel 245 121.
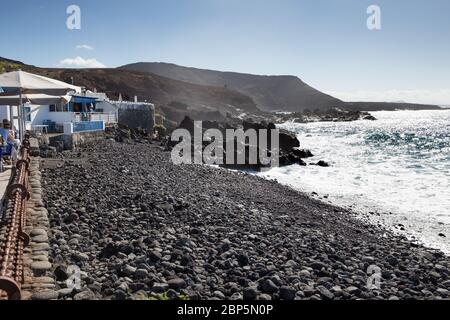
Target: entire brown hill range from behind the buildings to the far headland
pixel 214 96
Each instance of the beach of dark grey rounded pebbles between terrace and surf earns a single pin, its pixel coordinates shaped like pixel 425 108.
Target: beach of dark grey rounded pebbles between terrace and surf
pixel 140 227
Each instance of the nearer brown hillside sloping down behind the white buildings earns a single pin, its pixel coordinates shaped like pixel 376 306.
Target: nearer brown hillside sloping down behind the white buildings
pixel 157 89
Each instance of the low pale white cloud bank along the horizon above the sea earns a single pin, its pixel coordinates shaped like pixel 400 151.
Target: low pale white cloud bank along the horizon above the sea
pixel 439 96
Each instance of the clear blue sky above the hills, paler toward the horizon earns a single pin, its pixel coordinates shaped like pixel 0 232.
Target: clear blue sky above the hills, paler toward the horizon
pixel 324 42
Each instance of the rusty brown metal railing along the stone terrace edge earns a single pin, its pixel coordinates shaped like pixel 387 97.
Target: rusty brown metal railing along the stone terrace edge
pixel 15 238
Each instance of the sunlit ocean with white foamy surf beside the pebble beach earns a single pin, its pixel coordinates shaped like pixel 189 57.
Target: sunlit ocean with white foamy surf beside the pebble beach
pixel 394 171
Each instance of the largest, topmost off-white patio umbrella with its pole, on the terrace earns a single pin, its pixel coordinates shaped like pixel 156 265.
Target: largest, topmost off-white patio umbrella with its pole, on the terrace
pixel 19 83
